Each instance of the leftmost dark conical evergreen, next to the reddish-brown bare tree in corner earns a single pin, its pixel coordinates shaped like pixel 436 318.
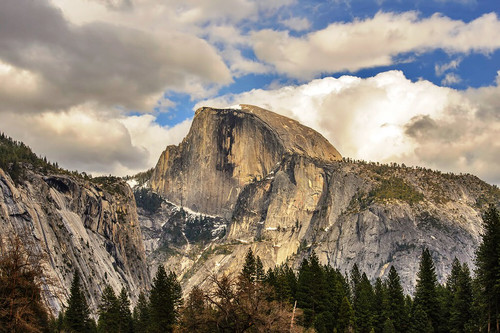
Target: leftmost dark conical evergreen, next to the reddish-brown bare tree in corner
pixel 77 316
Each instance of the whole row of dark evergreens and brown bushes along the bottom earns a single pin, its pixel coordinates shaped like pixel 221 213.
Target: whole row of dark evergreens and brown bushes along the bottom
pixel 316 298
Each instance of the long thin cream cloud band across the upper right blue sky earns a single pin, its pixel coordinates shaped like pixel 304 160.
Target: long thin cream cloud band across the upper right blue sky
pixel 372 42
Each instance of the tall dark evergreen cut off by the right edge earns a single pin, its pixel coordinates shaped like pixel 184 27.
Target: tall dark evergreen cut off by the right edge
pixel 488 270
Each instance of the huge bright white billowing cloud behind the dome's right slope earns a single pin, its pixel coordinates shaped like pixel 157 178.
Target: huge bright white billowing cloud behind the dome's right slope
pixel 389 118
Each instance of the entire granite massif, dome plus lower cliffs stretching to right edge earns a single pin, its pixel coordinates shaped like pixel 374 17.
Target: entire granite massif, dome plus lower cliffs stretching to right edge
pixel 284 192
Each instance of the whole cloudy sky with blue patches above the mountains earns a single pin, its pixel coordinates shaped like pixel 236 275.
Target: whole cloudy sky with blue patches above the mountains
pixel 104 86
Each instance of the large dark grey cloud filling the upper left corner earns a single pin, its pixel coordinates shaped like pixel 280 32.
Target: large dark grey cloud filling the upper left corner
pixel 96 62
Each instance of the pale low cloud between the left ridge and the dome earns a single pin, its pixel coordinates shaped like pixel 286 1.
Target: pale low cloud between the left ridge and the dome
pixel 94 140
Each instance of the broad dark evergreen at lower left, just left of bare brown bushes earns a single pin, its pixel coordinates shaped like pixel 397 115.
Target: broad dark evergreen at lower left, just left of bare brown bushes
pixel 165 299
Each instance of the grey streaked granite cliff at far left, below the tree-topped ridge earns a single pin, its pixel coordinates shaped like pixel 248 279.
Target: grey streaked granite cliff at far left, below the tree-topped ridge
pixel 87 227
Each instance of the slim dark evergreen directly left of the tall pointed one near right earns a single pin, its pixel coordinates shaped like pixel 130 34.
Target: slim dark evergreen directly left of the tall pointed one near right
pixel 396 310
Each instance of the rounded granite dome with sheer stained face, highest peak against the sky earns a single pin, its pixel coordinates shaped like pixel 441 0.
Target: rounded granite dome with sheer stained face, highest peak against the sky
pixel 227 149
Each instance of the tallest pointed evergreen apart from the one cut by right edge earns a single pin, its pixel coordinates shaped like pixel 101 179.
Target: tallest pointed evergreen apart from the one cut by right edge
pixel 426 296
